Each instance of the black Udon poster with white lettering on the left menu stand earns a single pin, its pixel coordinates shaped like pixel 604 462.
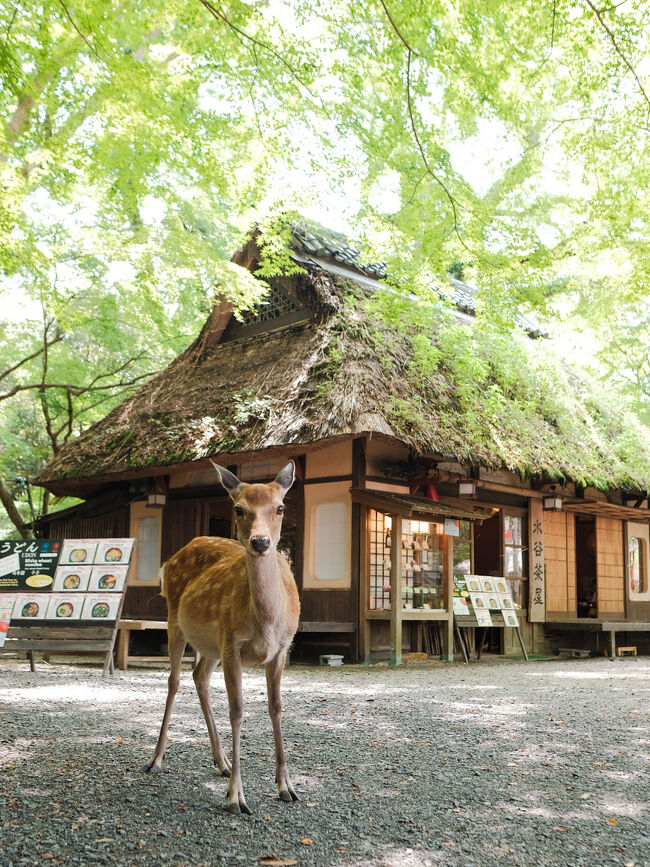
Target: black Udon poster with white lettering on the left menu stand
pixel 28 564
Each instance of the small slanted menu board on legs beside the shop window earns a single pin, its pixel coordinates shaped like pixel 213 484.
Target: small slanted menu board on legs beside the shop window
pixel 483 601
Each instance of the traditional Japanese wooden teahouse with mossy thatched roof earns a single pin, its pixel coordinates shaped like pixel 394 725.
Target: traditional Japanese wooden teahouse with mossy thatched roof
pixel 311 375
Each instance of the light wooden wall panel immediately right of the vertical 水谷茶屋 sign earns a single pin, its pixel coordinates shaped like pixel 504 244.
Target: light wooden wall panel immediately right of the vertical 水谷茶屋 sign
pixel 560 563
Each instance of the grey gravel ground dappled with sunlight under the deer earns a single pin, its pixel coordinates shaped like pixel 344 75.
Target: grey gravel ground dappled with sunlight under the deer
pixel 498 762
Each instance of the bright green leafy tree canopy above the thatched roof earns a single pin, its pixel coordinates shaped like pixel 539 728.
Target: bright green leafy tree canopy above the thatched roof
pixel 139 142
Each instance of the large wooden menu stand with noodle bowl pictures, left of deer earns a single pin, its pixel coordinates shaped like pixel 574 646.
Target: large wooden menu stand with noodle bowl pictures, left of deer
pixel 63 595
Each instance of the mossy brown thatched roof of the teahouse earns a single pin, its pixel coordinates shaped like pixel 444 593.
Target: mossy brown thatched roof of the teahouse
pixel 339 370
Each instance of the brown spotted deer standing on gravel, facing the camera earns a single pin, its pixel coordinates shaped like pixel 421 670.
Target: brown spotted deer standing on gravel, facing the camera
pixel 235 602
